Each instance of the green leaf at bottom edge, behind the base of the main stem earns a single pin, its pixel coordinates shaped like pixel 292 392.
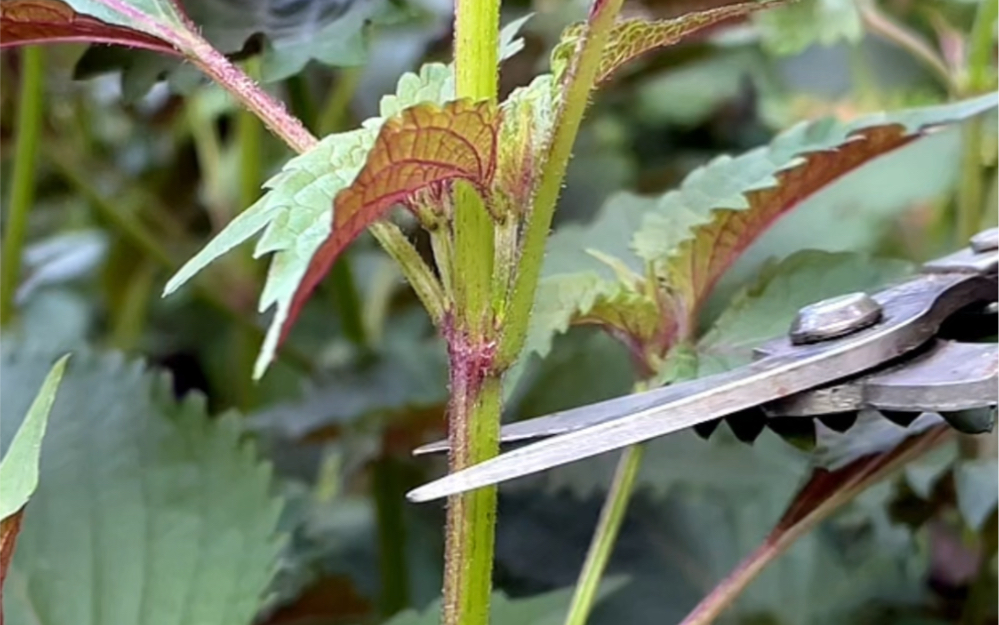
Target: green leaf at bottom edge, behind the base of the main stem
pixel 546 609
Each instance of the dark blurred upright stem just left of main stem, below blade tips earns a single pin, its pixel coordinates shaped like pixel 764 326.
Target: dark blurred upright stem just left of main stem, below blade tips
pixel 388 486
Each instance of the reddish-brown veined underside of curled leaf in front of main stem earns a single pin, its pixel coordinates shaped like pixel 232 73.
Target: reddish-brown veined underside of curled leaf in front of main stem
pixel 424 146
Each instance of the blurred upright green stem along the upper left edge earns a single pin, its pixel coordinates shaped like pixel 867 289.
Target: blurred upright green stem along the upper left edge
pixel 30 110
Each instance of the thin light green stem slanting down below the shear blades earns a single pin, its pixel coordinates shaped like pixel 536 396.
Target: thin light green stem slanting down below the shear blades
pixel 608 528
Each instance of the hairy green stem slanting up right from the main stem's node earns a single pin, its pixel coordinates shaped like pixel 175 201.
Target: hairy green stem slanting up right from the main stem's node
pixel 575 97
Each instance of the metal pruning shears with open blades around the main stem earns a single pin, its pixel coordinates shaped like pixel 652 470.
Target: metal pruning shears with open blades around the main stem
pixel 892 351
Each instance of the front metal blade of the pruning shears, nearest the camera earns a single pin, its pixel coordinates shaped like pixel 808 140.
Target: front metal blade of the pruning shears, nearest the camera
pixel 912 315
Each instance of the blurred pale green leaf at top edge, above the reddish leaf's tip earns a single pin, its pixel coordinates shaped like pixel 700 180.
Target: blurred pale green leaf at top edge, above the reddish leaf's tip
pixel 792 28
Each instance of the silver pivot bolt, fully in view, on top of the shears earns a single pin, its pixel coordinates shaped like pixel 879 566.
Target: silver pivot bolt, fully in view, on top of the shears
pixel 834 317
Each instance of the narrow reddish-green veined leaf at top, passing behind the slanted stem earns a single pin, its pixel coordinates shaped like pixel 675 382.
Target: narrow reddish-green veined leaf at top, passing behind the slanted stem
pixel 632 38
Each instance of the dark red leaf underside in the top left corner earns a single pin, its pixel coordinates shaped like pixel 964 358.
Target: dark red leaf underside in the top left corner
pixel 24 22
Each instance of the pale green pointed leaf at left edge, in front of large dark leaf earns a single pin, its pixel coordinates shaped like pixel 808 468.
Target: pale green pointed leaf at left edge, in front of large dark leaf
pixel 19 467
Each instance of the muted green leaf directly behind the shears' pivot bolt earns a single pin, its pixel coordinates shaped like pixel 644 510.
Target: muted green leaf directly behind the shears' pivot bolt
pixel 765 309
